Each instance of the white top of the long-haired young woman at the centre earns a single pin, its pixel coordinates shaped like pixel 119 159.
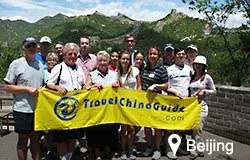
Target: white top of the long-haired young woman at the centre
pixel 131 82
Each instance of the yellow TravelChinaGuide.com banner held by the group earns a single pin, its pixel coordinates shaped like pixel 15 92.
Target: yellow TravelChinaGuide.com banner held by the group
pixel 83 108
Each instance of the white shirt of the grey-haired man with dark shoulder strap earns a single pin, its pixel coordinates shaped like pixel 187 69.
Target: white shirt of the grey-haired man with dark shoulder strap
pixel 71 79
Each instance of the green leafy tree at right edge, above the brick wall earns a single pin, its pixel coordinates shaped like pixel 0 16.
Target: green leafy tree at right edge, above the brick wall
pixel 237 50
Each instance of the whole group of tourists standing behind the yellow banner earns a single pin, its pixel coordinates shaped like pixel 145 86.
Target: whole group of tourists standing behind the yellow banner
pixel 172 71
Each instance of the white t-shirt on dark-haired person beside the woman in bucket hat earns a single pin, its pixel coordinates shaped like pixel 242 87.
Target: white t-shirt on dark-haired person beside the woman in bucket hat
pixel 179 78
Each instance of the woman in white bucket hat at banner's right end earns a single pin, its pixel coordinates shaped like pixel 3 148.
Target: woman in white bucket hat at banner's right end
pixel 201 85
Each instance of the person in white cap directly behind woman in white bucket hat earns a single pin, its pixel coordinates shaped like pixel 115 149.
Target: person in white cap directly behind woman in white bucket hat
pixel 192 52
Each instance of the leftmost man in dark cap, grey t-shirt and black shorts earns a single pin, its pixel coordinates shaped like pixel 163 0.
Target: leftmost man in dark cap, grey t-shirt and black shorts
pixel 20 81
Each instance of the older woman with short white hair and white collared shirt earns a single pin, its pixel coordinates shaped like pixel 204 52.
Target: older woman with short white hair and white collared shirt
pixel 102 136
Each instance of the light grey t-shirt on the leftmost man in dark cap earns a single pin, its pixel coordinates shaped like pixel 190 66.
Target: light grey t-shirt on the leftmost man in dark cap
pixel 25 73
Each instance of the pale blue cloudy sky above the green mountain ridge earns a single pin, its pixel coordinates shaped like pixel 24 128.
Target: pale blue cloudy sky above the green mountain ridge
pixel 146 10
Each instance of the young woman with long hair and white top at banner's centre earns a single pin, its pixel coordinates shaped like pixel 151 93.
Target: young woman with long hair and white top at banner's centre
pixel 129 78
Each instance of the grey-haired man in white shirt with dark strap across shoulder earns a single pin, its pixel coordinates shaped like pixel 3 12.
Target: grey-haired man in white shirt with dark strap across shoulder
pixel 67 76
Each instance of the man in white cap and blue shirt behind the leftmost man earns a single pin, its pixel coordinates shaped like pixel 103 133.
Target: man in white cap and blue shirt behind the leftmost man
pixel 45 43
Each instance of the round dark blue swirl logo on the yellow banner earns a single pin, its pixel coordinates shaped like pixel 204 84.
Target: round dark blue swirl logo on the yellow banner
pixel 65 108
